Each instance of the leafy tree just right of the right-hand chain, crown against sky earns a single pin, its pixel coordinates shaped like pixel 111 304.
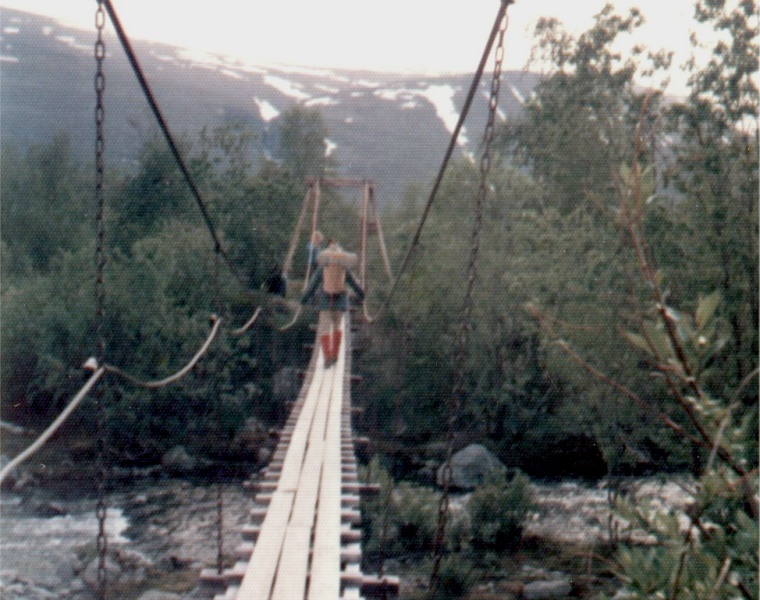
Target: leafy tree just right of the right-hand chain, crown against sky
pixel 588 100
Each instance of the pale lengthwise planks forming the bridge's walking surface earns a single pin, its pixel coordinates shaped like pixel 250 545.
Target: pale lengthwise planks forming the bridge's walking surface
pixel 306 504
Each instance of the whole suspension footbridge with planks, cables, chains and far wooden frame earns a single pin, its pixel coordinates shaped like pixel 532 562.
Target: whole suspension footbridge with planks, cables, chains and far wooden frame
pixel 303 540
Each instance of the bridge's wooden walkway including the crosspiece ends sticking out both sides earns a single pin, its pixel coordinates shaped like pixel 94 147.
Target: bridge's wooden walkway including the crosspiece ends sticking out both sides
pixel 305 545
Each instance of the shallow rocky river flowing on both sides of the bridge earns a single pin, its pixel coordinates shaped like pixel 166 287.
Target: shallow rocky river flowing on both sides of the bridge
pixel 163 531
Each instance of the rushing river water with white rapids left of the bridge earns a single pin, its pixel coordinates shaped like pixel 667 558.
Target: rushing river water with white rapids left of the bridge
pixel 165 529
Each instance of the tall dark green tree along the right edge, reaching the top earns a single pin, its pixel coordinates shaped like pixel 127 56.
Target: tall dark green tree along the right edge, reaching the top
pixel 715 174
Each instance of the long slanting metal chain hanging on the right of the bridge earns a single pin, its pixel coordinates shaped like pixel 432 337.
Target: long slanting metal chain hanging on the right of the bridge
pixel 454 406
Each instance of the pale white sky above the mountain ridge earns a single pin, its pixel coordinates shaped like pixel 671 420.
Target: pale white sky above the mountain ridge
pixel 426 36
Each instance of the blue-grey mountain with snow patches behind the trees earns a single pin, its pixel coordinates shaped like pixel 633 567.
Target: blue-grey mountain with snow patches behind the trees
pixel 388 127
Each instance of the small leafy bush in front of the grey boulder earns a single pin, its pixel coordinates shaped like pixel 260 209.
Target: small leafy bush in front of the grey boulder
pixel 497 512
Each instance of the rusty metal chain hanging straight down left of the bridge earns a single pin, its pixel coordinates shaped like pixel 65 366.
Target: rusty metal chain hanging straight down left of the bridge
pixel 100 85
